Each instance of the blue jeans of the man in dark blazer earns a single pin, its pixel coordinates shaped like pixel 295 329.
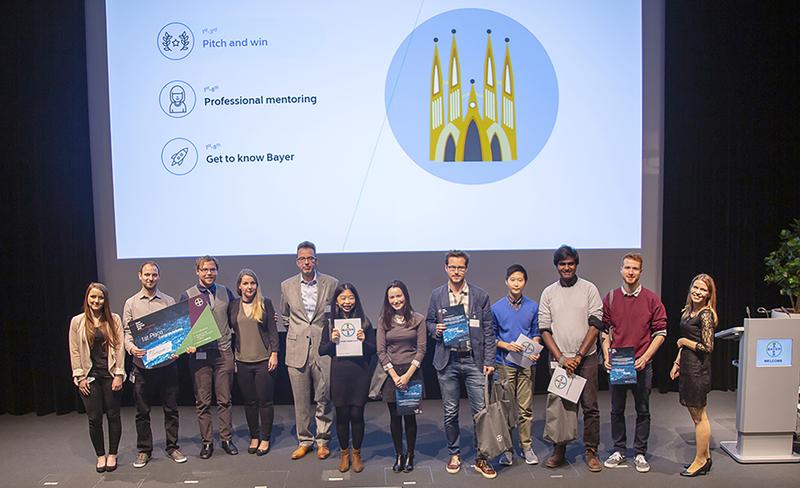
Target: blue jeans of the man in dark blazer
pixel 472 374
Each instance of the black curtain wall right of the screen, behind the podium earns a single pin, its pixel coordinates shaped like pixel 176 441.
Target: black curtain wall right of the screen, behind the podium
pixel 731 172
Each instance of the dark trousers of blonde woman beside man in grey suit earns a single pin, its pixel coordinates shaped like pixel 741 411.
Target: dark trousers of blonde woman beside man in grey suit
pixel 257 386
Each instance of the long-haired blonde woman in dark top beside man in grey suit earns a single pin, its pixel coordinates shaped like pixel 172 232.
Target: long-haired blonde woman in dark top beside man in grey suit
pixel 252 318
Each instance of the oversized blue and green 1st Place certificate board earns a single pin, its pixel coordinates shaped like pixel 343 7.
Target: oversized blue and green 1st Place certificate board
pixel 172 330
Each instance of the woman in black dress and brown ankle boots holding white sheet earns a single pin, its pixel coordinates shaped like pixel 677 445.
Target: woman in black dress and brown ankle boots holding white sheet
pixel 350 376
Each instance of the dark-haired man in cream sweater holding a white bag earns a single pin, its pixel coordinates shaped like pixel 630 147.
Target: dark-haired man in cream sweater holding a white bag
pixel 570 313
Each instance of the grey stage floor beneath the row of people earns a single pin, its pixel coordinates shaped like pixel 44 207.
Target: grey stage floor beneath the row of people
pixel 55 451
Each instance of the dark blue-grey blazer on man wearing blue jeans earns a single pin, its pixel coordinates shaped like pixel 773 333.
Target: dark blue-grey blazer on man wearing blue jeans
pixel 483 340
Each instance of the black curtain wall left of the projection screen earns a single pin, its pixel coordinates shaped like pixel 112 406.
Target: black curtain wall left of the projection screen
pixel 48 250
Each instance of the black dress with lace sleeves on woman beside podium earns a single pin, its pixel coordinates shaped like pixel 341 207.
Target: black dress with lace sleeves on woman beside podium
pixel 694 381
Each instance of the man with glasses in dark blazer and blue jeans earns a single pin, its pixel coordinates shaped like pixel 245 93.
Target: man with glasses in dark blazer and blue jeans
pixel 471 360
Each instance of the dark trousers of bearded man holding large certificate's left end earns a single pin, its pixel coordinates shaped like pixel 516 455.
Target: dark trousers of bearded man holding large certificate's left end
pixel 148 385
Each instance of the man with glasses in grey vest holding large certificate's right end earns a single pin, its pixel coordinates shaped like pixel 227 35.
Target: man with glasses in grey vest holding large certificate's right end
pixel 212 365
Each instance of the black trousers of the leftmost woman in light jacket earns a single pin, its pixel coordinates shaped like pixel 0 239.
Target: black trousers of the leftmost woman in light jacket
pixel 102 399
